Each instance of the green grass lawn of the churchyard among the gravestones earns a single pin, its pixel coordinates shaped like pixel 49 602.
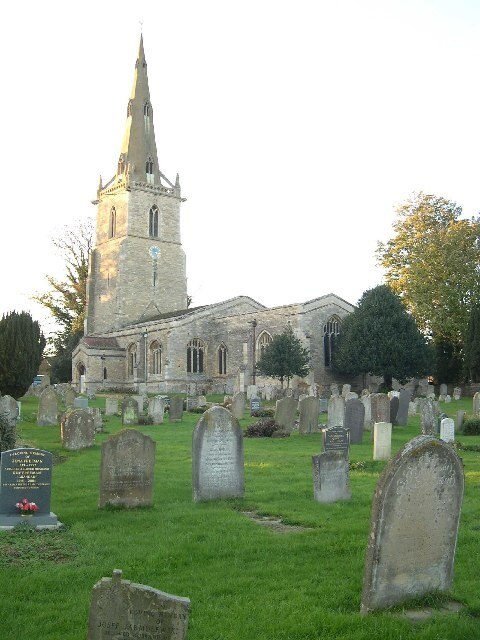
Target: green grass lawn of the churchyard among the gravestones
pixel 244 580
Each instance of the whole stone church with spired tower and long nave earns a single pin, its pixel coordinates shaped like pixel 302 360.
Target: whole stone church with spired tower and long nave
pixel 140 332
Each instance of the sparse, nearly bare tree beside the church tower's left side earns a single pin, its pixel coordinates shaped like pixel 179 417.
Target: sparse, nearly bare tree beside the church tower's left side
pixel 67 299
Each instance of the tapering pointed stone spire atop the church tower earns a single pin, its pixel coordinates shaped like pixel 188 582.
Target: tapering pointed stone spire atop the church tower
pixel 138 155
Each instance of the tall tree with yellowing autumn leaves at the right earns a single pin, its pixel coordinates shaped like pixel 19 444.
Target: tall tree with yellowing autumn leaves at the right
pixel 433 263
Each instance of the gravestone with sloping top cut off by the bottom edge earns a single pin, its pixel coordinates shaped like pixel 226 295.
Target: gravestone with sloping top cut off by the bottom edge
pixel 124 609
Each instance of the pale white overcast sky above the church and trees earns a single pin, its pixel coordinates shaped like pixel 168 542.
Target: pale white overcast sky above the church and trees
pixel 297 128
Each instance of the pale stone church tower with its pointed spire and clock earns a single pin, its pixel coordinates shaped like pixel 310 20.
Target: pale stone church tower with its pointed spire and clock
pixel 137 269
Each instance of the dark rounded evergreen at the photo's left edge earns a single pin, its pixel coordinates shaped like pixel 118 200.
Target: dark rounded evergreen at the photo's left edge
pixel 21 350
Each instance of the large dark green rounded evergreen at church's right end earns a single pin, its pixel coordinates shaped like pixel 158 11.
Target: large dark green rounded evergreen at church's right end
pixel 381 338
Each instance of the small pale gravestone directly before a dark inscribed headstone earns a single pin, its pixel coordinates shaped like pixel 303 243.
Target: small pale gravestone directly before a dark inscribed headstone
pixel 330 477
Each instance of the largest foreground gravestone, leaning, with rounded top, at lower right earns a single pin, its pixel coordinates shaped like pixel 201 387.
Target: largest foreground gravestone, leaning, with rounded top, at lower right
pixel 414 526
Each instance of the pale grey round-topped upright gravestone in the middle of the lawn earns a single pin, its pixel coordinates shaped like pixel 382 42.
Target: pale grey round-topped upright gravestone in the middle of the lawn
pixel 217 456
